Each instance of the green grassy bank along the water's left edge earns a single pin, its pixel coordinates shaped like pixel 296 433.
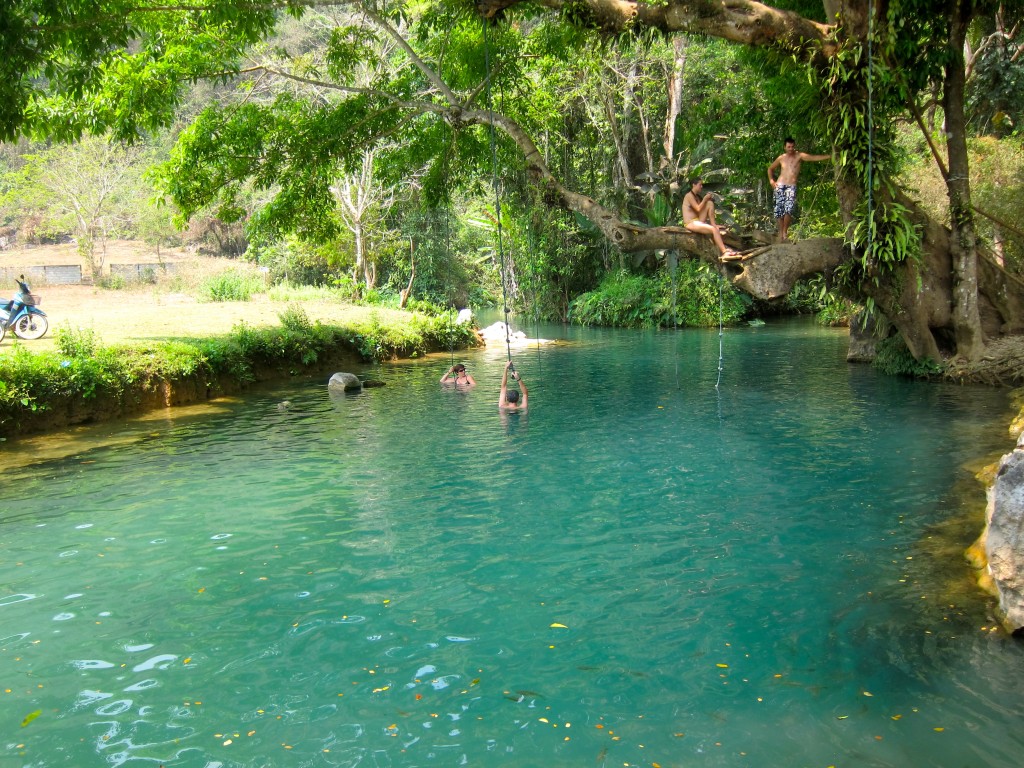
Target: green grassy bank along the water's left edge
pixel 82 380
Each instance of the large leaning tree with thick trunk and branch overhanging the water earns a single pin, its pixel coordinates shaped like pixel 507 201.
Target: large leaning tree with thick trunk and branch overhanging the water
pixel 97 65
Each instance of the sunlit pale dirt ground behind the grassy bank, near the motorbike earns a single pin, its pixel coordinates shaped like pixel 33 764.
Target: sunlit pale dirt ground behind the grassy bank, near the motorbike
pixel 152 313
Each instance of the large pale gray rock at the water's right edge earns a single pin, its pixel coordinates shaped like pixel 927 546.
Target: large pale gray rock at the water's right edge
pixel 1005 542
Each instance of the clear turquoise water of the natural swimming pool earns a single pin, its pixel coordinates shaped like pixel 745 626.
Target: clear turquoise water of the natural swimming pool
pixel 642 571
